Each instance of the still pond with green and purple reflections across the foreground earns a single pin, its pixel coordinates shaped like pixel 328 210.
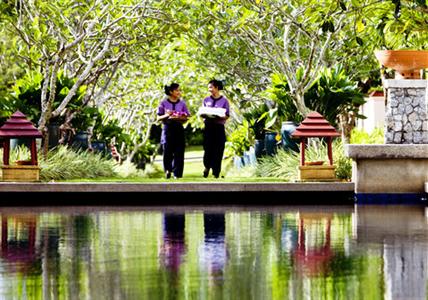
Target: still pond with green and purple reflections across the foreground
pixel 344 252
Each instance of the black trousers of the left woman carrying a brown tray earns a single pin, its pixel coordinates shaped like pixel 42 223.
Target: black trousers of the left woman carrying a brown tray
pixel 173 149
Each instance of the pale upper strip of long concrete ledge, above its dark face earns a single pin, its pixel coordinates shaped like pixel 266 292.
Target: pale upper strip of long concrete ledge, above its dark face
pixel 170 187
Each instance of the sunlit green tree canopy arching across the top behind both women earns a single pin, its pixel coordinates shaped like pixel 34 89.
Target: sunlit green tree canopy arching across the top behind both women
pixel 119 53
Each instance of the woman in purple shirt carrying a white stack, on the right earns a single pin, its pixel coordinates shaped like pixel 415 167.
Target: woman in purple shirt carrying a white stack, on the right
pixel 214 132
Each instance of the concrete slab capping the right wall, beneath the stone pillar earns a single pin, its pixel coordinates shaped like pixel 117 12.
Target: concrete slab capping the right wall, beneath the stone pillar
pixel 383 151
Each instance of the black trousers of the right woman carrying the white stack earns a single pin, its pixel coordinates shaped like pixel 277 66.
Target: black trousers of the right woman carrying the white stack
pixel 214 140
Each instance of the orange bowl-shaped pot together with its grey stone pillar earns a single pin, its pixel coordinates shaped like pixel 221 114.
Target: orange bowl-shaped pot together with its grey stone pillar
pixel 406 108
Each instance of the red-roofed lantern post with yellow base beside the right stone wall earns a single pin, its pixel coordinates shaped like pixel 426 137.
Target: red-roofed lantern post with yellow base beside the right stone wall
pixel 315 126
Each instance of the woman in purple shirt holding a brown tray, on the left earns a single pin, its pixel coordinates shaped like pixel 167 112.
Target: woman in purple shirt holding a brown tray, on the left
pixel 173 112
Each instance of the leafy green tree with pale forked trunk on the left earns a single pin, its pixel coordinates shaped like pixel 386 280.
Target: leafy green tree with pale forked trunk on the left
pixel 89 41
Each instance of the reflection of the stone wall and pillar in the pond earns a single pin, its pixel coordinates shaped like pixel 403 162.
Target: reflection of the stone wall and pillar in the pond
pixel 403 231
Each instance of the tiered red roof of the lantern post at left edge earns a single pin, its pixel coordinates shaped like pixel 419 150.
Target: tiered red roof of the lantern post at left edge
pixel 19 126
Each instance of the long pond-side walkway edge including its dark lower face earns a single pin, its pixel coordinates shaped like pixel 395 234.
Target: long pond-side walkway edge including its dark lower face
pixel 175 193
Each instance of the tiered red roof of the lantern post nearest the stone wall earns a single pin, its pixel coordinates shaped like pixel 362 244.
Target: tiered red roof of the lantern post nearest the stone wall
pixel 315 126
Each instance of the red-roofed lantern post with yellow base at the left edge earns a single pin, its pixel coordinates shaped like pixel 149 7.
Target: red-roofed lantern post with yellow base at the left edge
pixel 19 127
